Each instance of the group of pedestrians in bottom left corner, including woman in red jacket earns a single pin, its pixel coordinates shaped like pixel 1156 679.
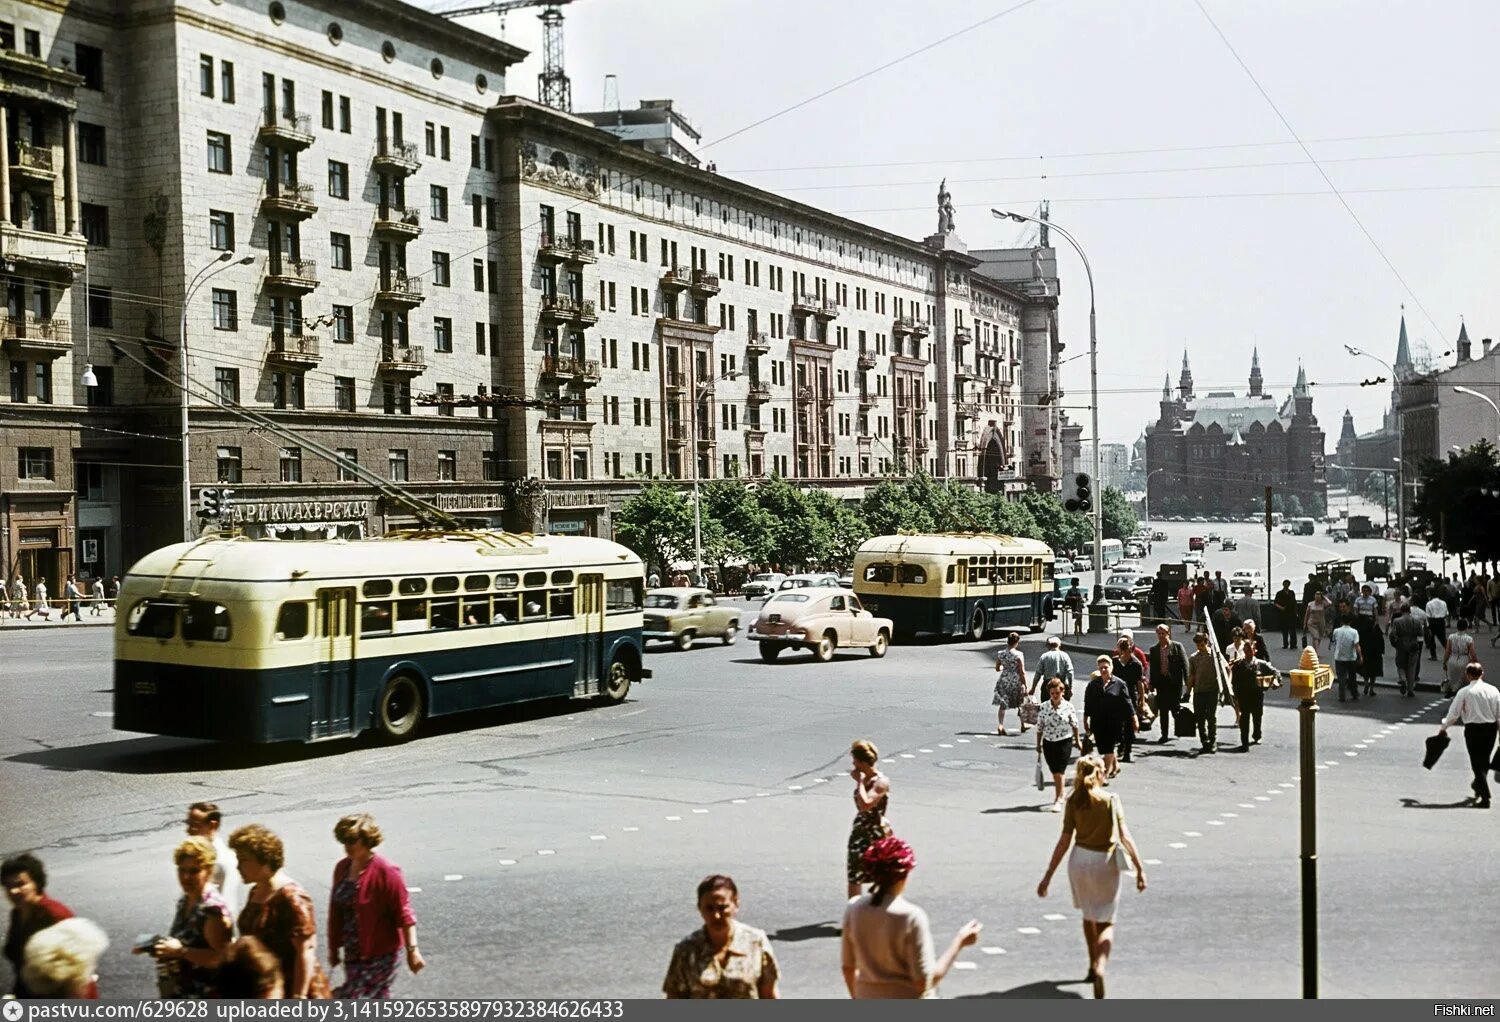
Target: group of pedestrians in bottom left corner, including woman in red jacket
pixel 242 927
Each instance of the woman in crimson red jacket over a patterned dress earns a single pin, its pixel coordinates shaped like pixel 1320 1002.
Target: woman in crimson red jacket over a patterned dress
pixel 370 915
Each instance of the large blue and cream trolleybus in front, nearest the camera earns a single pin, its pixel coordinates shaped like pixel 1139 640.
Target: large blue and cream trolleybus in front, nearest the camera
pixel 245 640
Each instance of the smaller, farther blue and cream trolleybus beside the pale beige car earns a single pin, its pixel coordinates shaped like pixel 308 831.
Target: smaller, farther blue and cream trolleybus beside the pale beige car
pixel 956 583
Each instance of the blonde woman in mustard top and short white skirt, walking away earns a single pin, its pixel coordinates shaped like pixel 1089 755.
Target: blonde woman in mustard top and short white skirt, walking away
pixel 1094 823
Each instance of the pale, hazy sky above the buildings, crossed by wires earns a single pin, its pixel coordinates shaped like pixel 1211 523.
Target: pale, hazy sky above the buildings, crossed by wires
pixel 1207 224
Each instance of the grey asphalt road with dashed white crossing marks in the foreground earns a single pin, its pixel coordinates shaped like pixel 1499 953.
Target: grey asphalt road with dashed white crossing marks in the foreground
pixel 554 850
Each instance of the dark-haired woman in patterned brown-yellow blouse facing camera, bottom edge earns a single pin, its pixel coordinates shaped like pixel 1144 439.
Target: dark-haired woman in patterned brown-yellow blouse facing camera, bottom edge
pixel 725 958
